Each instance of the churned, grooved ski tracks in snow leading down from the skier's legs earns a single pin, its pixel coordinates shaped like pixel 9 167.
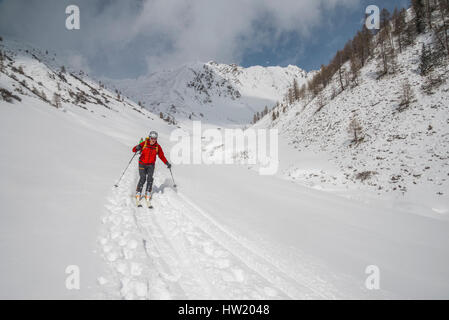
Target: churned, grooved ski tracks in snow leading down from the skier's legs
pixel 176 251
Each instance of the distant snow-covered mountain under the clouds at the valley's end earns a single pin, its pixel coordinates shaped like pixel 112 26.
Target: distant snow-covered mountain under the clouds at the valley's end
pixel 212 92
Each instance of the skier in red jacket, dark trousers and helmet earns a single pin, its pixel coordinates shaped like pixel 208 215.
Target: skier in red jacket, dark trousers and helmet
pixel 149 150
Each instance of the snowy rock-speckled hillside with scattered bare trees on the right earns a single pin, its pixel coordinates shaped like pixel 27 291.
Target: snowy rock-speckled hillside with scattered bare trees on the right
pixel 402 153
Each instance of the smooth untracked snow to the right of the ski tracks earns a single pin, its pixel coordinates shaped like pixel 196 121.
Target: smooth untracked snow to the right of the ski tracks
pixel 302 231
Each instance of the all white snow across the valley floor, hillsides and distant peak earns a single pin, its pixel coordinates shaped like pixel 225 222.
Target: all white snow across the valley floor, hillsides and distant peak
pixel 226 232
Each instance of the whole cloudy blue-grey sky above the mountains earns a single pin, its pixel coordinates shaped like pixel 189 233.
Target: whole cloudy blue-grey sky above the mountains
pixel 127 39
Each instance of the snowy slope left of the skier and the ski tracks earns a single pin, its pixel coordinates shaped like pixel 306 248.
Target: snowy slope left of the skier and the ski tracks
pixel 56 168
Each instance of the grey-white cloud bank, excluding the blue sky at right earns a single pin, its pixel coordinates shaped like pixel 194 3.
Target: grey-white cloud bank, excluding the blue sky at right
pixel 127 38
